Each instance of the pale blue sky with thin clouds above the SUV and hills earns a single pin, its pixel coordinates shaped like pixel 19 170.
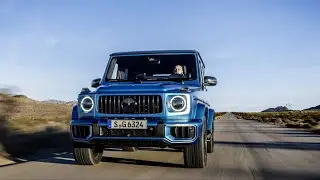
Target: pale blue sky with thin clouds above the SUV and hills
pixel 264 53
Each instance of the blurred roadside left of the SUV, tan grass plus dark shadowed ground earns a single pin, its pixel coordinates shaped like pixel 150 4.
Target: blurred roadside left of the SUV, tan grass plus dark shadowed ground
pixel 27 125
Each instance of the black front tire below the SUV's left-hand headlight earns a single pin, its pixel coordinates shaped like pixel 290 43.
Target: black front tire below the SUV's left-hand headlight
pixel 85 155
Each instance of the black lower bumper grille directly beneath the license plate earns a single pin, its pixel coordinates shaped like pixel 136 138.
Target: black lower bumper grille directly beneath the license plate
pixel 131 132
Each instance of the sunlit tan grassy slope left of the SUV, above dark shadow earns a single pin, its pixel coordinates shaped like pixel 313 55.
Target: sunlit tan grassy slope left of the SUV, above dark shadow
pixel 32 115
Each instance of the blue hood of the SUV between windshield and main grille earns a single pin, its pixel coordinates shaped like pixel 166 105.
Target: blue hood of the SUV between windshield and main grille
pixel 146 87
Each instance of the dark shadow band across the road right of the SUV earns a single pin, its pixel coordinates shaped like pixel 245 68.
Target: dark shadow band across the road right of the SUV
pixel 274 145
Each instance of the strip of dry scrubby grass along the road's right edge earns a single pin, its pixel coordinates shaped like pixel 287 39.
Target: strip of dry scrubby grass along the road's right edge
pixel 291 119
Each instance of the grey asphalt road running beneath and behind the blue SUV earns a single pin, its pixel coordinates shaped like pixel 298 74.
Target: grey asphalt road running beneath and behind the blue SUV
pixel 243 150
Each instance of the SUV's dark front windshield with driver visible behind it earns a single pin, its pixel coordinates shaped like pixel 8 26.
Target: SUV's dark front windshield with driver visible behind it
pixel 152 68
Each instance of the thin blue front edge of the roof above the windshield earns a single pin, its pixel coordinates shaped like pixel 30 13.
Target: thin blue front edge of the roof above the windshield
pixel 153 52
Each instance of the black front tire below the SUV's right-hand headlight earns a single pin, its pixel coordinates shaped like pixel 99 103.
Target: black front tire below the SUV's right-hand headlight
pixel 195 156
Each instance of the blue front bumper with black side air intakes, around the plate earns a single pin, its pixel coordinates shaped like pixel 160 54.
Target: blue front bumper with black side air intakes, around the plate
pixel 158 134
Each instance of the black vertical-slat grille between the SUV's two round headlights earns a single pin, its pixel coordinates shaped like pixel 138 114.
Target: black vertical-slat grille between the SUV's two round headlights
pixel 145 104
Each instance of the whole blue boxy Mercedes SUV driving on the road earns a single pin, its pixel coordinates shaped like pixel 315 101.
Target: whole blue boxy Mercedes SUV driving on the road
pixel 146 99
